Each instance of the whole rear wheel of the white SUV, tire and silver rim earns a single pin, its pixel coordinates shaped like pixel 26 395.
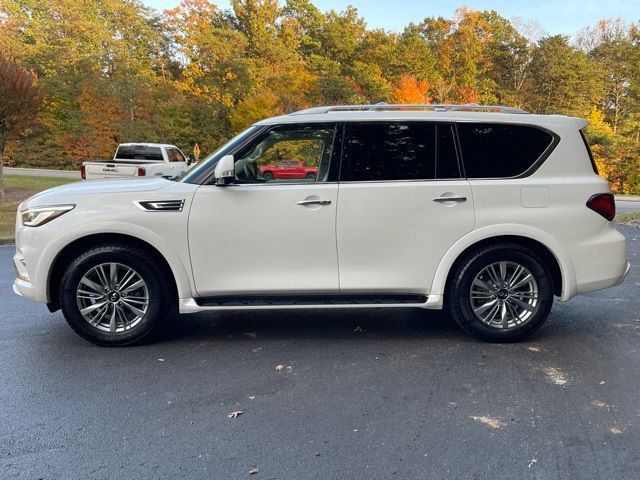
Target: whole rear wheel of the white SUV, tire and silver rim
pixel 500 293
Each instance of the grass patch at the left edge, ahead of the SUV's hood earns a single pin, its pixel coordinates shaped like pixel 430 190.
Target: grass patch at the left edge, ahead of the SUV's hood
pixel 19 188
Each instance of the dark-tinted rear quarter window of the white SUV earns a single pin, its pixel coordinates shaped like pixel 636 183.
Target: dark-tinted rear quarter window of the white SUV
pixel 501 150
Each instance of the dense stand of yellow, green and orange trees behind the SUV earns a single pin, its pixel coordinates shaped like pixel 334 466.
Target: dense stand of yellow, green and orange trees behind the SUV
pixel 115 70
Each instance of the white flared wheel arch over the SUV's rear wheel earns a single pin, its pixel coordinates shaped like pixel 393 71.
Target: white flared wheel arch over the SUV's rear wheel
pixel 555 257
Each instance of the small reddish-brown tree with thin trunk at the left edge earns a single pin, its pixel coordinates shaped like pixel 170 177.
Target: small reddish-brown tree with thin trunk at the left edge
pixel 19 103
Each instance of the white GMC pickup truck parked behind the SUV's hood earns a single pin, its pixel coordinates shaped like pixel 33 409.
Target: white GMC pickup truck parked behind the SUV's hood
pixel 138 160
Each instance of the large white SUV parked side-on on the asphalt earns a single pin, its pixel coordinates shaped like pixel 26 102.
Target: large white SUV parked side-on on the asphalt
pixel 488 211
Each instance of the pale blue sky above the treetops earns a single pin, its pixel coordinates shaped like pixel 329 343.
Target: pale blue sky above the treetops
pixel 553 16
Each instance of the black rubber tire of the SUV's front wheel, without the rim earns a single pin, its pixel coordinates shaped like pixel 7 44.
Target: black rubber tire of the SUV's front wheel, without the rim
pixel 162 302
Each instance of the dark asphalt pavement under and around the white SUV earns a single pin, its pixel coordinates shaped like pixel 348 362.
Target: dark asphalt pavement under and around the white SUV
pixel 347 394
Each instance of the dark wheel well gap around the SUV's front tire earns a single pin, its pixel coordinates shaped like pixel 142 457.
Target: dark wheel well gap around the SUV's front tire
pixel 83 243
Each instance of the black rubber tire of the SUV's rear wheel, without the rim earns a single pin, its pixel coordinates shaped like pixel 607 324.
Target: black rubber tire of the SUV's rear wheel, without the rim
pixel 458 296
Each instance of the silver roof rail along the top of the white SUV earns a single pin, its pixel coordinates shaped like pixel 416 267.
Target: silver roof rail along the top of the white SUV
pixel 392 107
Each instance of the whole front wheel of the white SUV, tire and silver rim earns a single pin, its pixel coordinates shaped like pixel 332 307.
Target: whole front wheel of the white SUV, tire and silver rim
pixel 116 295
